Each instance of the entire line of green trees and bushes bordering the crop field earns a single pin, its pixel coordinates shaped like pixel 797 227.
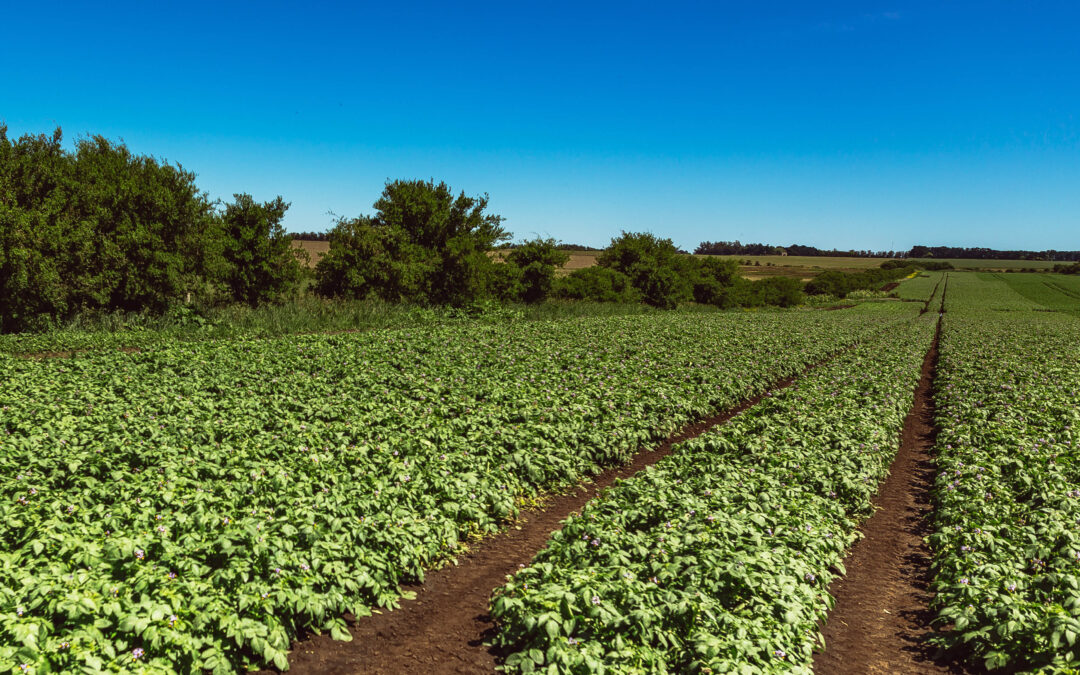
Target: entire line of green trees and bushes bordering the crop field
pixel 99 229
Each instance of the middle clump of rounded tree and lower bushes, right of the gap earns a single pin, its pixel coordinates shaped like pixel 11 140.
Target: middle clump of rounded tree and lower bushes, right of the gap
pixel 426 245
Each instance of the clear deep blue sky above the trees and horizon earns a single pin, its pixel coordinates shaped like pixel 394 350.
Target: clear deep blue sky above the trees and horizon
pixel 848 125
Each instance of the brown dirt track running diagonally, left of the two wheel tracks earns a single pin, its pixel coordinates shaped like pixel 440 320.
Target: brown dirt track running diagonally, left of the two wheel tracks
pixel 444 629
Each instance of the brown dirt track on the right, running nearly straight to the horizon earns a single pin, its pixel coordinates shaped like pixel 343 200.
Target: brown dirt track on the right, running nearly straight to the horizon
pixel 883 612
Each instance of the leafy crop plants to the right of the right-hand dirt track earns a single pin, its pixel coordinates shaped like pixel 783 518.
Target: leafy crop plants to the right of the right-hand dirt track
pixel 1007 541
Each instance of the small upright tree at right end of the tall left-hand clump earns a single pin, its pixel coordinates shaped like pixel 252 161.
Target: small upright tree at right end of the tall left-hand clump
pixel 263 266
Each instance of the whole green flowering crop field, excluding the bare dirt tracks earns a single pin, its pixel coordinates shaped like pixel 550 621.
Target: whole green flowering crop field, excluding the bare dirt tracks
pixel 201 505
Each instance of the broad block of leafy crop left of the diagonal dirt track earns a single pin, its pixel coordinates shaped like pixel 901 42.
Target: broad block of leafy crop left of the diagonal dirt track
pixel 198 506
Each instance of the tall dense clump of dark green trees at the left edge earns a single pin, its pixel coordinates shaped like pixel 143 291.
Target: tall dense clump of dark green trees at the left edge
pixel 101 229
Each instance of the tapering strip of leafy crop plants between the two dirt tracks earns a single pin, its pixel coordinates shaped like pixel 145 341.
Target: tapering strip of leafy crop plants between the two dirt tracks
pixel 719 558
